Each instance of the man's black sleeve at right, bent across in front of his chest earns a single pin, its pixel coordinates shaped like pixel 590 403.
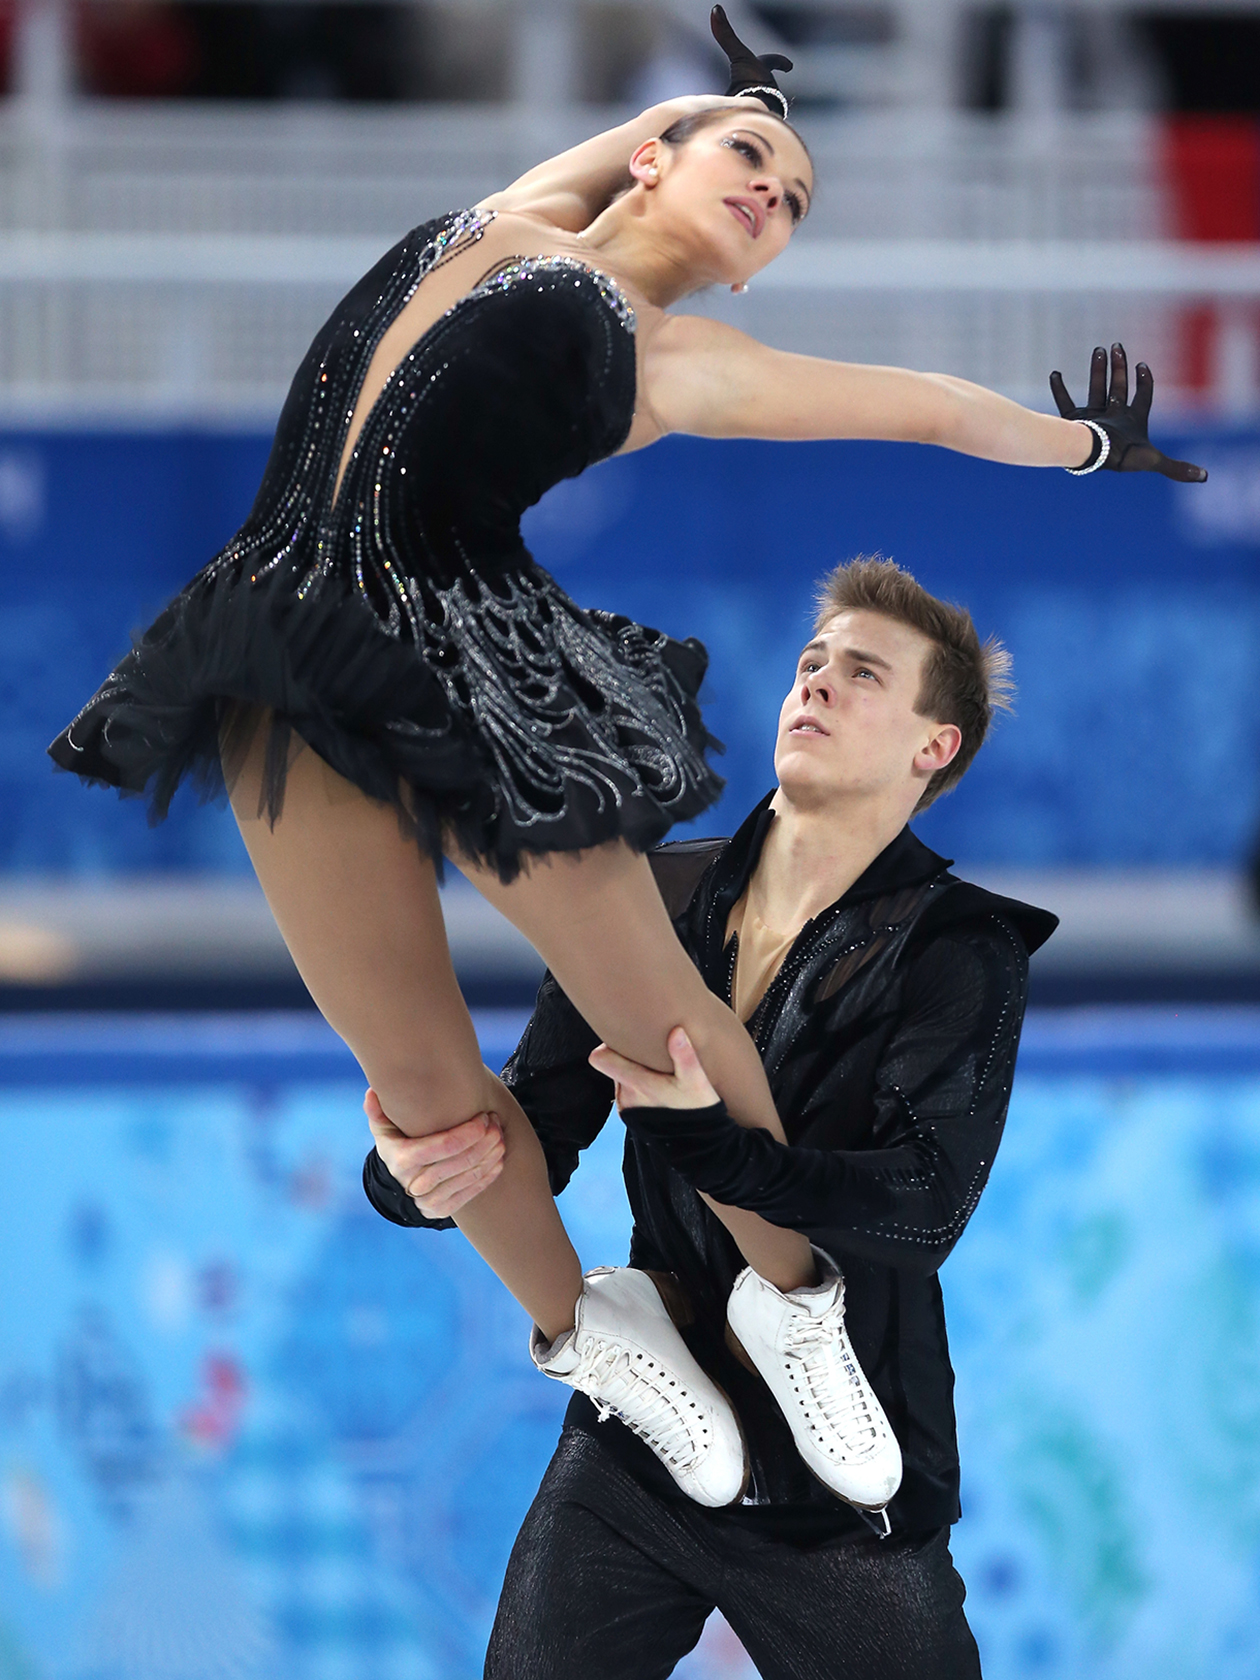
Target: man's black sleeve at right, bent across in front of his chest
pixel 942 1091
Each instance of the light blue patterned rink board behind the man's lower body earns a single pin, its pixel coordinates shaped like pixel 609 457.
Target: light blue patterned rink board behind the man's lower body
pixel 251 1432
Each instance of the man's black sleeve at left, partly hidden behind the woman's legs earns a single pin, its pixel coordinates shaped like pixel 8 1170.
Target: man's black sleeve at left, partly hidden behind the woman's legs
pixel 549 1074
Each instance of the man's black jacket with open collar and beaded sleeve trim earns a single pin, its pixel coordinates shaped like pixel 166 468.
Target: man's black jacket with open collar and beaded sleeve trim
pixel 890 1037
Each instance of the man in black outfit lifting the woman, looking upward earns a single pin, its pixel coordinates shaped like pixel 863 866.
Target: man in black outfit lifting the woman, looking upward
pixel 886 999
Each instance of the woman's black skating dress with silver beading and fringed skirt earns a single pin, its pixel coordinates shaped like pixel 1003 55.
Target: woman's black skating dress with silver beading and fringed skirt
pixel 406 633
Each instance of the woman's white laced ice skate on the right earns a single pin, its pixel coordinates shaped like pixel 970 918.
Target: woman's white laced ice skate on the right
pixel 802 1350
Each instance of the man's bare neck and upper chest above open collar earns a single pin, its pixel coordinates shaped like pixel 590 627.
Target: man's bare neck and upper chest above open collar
pixel 812 858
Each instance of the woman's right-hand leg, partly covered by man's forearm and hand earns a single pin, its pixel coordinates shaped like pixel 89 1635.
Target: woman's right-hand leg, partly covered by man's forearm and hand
pixel 599 923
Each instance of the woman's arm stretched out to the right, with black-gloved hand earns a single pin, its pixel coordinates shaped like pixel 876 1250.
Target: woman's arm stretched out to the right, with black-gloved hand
pixel 710 379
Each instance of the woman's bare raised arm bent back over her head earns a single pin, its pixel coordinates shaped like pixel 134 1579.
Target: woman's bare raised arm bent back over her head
pixel 574 187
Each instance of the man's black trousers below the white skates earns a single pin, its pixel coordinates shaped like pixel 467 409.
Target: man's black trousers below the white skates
pixel 611 1583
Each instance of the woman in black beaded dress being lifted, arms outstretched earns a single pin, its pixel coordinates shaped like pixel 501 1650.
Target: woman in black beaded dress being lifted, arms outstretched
pixel 381 609
